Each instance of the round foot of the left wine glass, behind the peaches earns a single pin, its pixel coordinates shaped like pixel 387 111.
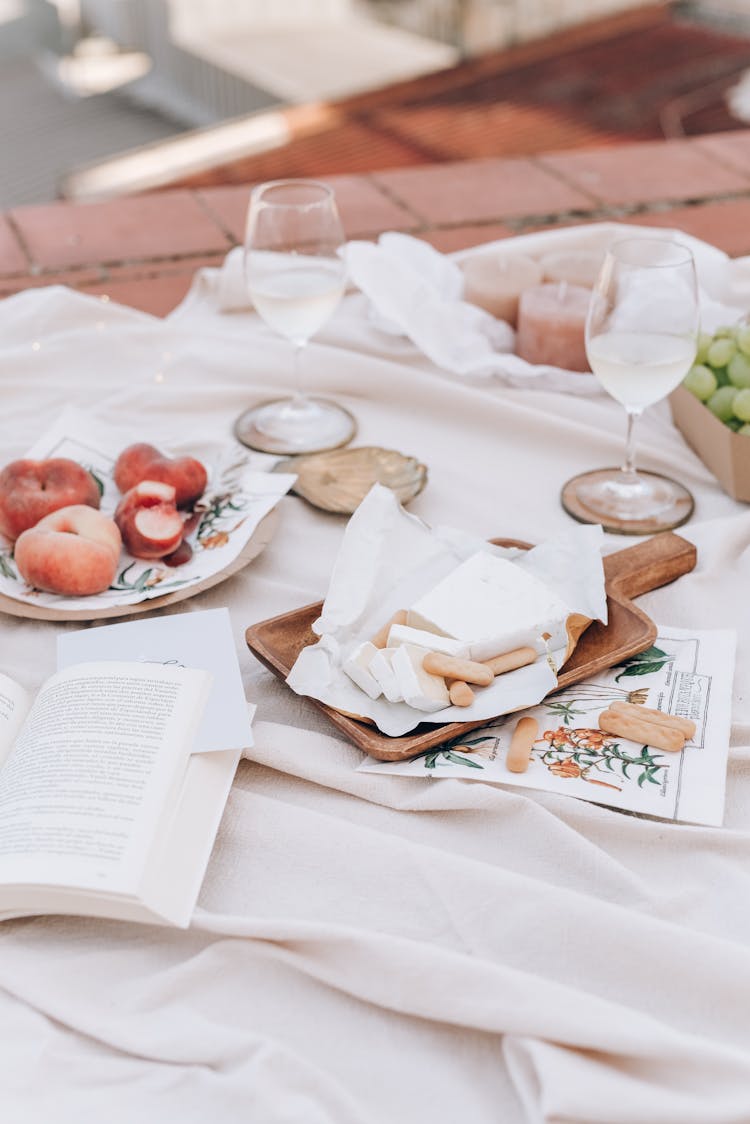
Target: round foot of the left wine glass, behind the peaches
pixel 283 427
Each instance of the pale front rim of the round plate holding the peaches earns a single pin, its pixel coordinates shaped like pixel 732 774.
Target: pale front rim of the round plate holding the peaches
pixel 258 542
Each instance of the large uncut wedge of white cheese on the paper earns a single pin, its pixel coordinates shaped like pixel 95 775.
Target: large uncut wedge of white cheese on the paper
pixel 493 606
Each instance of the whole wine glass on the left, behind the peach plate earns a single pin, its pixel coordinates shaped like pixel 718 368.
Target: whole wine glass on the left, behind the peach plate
pixel 296 277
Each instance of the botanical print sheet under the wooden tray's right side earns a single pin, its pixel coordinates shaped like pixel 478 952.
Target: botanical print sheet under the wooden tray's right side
pixel 685 674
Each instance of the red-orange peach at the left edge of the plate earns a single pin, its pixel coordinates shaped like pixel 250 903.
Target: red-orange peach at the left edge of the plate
pixel 32 490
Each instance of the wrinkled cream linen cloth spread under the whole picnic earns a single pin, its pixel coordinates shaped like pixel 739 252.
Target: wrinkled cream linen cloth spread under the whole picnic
pixel 375 949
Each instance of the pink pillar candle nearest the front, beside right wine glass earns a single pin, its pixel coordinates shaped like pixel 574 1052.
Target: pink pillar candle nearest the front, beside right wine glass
pixel 552 327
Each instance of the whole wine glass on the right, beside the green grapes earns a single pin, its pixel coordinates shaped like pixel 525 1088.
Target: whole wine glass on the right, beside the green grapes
pixel 641 340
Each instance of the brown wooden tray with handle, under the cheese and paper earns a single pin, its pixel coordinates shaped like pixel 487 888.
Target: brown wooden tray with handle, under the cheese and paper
pixel 630 573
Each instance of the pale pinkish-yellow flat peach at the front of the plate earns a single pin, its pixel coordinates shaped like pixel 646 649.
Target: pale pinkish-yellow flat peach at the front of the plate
pixel 74 551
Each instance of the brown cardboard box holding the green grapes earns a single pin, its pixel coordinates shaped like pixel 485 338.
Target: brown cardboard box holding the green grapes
pixel 725 452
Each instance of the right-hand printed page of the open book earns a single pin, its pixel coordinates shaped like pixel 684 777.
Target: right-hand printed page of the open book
pixel 84 788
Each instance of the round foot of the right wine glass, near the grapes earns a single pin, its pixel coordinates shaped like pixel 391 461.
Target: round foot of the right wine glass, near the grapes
pixel 656 504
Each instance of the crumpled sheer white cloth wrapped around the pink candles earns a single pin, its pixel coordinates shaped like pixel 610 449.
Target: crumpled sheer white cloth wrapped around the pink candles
pixel 414 292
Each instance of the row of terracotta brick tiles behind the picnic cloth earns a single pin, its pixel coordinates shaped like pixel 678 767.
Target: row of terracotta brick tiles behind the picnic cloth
pixel 144 250
